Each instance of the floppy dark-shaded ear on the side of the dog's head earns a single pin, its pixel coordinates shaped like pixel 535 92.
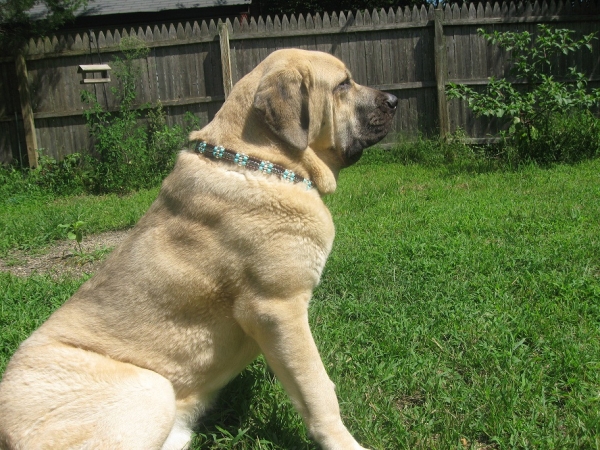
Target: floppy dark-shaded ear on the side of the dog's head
pixel 282 100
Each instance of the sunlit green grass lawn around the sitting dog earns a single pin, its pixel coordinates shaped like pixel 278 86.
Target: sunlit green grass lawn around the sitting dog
pixel 457 309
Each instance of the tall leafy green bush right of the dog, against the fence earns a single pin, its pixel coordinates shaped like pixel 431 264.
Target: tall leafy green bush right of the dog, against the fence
pixel 548 120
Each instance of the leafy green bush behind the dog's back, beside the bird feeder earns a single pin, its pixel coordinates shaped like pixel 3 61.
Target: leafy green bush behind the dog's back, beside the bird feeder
pixel 132 155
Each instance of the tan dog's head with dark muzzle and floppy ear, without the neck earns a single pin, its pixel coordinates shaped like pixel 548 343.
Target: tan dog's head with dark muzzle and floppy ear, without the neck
pixel 309 99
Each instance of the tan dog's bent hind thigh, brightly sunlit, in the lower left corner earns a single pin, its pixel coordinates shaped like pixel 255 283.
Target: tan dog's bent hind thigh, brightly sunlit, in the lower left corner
pixel 76 399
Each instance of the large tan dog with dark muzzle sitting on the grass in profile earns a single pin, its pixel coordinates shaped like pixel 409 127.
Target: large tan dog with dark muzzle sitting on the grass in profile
pixel 220 269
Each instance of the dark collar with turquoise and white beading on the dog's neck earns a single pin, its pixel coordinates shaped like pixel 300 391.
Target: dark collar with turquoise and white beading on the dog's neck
pixel 220 153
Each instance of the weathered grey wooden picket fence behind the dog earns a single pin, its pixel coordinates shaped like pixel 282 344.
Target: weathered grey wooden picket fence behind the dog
pixel 412 53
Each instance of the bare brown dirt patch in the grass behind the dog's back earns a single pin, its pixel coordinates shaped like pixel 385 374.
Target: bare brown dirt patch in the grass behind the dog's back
pixel 64 258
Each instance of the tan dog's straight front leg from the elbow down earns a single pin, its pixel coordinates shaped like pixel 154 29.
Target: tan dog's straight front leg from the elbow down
pixel 280 327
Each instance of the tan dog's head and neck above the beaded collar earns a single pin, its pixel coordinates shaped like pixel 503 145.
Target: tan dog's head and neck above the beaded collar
pixel 302 109
